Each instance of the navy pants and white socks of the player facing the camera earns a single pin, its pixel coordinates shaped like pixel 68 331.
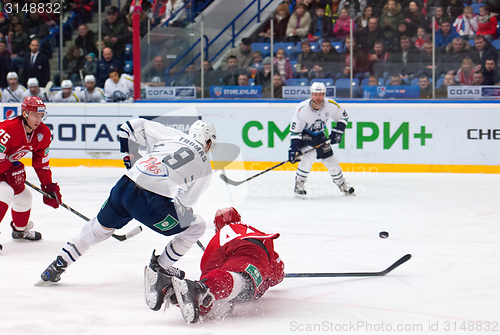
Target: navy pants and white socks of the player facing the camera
pixel 324 154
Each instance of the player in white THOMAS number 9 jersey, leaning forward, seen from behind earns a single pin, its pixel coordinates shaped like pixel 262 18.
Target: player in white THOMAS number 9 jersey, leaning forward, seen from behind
pixel 158 191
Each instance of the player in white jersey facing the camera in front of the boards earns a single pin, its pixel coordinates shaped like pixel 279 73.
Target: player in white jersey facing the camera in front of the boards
pixel 307 130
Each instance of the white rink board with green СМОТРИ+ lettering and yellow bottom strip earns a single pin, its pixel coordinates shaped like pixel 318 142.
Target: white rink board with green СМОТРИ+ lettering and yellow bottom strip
pixel 394 137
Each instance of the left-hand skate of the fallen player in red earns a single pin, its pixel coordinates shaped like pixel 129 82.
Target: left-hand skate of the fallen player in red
pixel 158 284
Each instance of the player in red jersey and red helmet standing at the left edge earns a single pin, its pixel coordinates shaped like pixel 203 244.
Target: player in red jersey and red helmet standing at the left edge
pixel 19 136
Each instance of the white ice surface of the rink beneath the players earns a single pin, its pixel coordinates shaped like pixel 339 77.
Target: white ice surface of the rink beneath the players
pixel 450 223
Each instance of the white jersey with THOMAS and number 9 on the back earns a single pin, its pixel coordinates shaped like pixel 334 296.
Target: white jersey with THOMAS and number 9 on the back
pixel 174 166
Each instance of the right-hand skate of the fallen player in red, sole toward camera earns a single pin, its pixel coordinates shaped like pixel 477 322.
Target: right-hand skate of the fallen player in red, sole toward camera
pixel 190 295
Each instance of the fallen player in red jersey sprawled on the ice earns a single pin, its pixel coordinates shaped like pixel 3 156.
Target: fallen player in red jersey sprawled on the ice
pixel 239 264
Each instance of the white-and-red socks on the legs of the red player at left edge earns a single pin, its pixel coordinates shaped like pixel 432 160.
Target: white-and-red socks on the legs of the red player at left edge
pixel 21 205
